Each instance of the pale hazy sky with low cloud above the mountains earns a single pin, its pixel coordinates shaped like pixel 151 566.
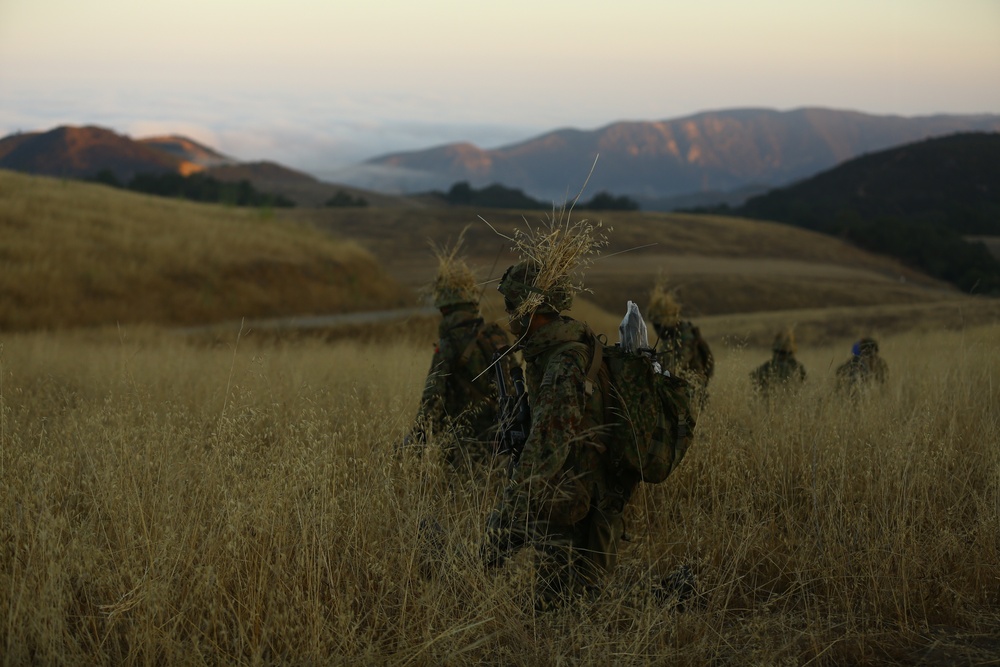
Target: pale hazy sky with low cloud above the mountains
pixel 322 83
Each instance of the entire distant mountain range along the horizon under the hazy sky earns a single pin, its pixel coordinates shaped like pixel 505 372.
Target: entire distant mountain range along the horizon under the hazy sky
pixel 704 159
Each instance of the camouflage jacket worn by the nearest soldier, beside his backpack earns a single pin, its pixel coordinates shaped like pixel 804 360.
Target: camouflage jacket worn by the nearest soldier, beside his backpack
pixel 562 467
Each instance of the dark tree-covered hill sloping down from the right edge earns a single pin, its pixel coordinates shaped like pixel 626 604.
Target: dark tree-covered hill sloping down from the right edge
pixel 916 202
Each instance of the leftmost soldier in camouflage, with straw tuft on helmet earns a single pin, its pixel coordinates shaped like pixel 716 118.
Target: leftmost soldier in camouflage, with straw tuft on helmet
pixel 458 406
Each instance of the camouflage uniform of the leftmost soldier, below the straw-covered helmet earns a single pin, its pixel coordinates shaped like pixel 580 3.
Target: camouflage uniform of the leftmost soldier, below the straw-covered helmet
pixel 459 398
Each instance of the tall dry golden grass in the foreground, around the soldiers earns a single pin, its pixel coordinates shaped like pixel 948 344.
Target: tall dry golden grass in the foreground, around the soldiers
pixel 172 503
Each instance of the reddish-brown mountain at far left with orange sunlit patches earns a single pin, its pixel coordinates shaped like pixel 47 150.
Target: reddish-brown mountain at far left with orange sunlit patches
pixel 83 152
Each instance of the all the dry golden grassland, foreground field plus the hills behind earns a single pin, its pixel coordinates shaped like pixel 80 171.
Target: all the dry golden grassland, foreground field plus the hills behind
pixel 235 496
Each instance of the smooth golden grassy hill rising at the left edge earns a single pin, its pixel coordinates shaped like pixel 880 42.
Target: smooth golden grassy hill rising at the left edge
pixel 76 254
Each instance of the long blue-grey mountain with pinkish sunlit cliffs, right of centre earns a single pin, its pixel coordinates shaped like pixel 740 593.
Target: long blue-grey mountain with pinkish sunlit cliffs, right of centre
pixel 719 151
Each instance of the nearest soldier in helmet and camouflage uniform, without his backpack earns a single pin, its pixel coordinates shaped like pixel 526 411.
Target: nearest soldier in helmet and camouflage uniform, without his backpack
pixel 564 499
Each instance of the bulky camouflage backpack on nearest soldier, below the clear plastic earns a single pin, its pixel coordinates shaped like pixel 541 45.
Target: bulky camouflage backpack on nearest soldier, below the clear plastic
pixel 649 411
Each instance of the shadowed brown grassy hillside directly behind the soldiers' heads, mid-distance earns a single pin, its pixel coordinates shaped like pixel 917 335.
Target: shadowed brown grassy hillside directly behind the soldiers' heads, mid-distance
pixel 720 265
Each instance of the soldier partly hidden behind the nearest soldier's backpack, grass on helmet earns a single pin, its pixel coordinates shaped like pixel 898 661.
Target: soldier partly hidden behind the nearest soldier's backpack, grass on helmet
pixel 680 347
